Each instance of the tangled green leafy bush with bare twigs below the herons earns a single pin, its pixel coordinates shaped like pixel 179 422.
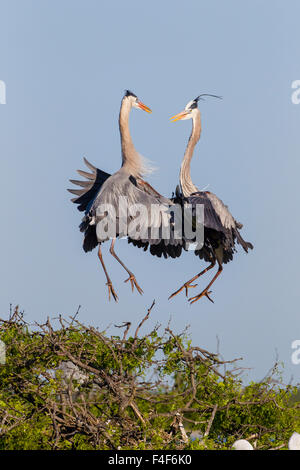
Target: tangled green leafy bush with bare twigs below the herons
pixel 75 387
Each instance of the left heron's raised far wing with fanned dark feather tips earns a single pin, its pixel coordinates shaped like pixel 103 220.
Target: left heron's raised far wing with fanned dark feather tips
pixel 91 187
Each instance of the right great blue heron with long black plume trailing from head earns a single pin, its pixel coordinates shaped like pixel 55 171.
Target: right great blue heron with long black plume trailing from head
pixel 221 230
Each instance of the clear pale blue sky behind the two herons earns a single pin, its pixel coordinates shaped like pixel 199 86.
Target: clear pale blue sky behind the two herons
pixel 65 65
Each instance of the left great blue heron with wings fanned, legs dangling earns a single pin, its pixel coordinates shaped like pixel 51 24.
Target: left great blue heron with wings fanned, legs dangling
pixel 102 189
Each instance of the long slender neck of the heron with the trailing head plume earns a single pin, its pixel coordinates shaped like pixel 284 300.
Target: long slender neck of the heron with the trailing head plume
pixel 186 183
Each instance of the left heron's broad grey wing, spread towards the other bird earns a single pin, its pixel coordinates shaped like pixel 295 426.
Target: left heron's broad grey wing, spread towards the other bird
pixel 143 215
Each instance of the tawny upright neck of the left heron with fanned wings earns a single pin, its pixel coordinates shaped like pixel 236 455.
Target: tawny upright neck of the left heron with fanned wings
pixel 131 160
